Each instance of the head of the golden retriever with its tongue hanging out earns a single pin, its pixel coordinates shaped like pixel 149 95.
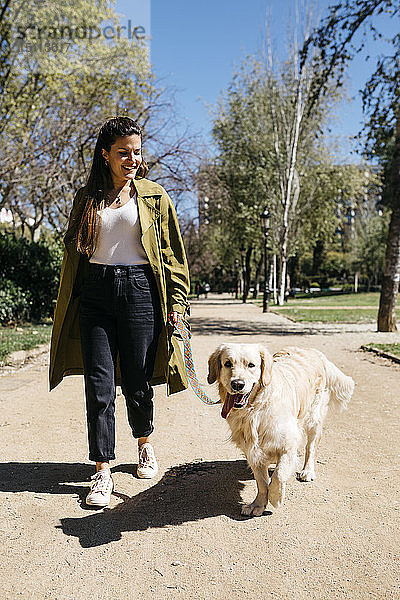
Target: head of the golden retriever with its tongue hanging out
pixel 239 368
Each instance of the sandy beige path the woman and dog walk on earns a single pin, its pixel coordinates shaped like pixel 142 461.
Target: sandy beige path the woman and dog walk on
pixel 182 535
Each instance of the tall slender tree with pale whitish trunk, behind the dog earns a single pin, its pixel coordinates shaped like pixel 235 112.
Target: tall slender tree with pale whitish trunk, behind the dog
pixel 298 154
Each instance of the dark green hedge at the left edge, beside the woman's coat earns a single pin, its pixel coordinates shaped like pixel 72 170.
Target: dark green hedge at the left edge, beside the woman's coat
pixel 33 268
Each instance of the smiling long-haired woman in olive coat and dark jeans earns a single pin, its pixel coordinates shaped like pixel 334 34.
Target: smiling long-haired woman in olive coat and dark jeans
pixel 124 279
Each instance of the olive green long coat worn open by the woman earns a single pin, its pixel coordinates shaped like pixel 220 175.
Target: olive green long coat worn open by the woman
pixel 163 245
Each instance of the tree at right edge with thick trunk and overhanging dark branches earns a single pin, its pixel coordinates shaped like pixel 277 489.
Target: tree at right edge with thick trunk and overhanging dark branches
pixel 340 37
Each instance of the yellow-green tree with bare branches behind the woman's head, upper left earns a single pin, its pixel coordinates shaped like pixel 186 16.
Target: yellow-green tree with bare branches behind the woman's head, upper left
pixel 53 105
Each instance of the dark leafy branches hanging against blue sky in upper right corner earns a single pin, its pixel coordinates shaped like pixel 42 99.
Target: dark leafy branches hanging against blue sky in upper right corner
pixel 343 34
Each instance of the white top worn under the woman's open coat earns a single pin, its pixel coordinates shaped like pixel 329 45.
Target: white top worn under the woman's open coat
pixel 119 242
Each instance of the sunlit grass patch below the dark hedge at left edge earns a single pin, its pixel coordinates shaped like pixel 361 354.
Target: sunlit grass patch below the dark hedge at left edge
pixel 25 337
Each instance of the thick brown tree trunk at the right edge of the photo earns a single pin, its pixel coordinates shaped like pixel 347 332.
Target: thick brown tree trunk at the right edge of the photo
pixel 391 275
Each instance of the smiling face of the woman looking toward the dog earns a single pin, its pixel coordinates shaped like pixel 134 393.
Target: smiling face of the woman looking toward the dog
pixel 124 158
